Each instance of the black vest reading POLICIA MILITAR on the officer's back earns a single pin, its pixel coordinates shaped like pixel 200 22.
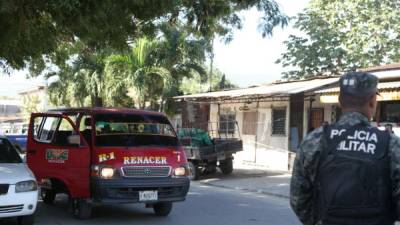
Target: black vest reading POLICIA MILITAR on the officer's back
pixel 353 185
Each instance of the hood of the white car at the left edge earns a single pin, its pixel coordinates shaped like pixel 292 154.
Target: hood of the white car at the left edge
pixel 11 173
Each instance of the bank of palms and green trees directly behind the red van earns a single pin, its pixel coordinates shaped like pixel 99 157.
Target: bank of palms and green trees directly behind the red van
pixel 146 76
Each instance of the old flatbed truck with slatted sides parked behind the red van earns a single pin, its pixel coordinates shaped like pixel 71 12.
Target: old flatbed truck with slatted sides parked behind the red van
pixel 205 153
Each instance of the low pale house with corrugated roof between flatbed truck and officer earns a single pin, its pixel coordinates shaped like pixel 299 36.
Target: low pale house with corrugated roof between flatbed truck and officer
pixel 271 119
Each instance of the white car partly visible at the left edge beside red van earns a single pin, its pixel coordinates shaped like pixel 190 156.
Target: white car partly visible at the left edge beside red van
pixel 18 187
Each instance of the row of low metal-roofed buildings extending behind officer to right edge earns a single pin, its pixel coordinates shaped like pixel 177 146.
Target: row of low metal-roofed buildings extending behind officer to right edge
pixel 272 119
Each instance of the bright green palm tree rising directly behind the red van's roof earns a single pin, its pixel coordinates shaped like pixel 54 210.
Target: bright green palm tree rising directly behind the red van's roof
pixel 138 69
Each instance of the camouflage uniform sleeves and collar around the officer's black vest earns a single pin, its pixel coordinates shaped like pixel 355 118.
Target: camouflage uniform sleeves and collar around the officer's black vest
pixel 304 171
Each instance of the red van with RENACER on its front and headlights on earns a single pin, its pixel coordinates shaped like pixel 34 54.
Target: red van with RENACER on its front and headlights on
pixel 107 155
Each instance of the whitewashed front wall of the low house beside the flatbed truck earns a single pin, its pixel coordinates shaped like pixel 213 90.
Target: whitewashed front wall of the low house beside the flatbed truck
pixel 269 151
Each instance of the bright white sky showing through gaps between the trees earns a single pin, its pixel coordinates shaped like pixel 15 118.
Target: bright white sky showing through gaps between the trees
pixel 248 60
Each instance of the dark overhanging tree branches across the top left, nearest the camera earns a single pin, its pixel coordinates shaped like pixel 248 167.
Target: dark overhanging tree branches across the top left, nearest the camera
pixel 32 31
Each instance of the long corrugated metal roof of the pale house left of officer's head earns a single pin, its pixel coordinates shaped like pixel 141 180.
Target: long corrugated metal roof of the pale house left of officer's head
pixel 277 89
